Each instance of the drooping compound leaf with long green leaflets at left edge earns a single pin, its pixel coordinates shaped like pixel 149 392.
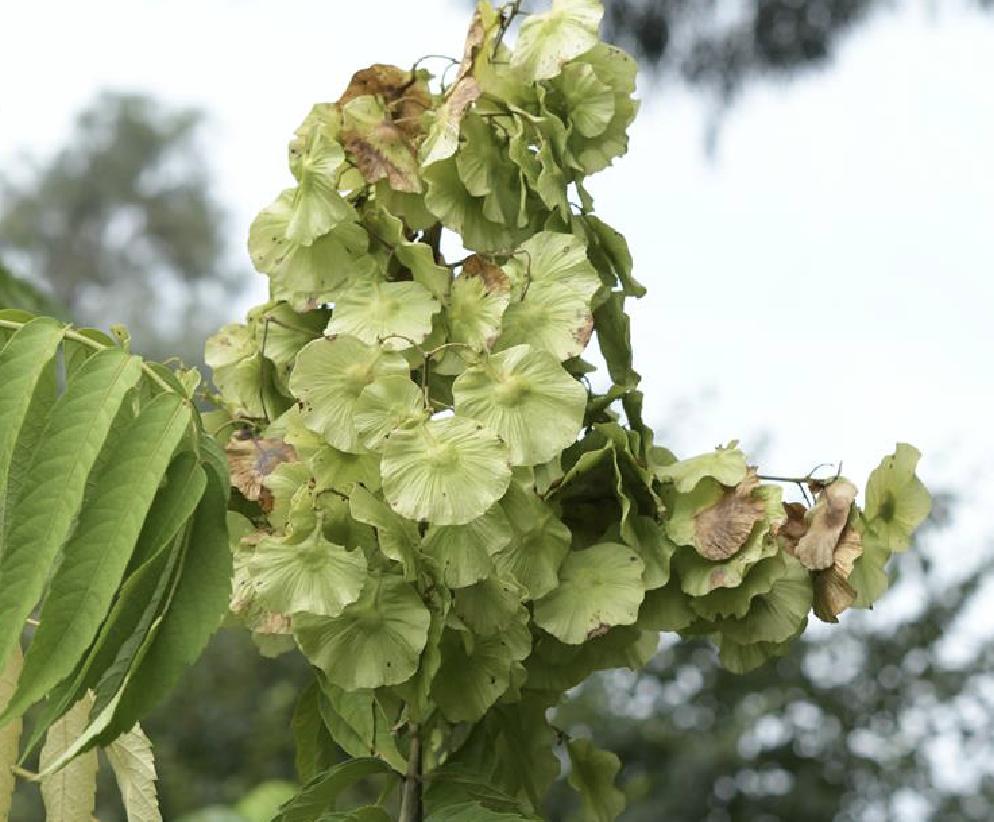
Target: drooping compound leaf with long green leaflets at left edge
pixel 113 535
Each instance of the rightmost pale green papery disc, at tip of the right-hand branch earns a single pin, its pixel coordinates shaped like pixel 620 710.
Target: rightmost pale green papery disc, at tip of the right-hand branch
pixel 897 502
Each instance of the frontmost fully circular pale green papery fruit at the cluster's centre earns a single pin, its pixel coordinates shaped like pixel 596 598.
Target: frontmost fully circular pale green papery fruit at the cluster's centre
pixel 448 471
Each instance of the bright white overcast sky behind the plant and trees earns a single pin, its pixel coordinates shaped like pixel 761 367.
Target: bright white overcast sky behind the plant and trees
pixel 826 280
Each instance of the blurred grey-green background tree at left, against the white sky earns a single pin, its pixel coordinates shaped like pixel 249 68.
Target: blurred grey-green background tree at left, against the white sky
pixel 120 225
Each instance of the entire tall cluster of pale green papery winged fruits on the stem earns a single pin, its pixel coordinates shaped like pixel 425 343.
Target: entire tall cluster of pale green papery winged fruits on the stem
pixel 464 529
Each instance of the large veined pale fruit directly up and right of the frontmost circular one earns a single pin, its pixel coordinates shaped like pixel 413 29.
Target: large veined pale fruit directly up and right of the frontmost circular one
pixel 526 396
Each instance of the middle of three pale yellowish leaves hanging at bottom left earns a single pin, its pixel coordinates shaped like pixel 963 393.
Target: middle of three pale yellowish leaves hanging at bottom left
pixel 70 793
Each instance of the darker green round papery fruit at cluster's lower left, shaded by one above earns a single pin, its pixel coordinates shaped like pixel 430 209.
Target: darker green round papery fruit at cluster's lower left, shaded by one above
pixel 375 641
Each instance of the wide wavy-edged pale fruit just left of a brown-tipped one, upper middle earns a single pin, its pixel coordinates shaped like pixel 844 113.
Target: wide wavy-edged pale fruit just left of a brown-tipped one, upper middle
pixel 398 315
